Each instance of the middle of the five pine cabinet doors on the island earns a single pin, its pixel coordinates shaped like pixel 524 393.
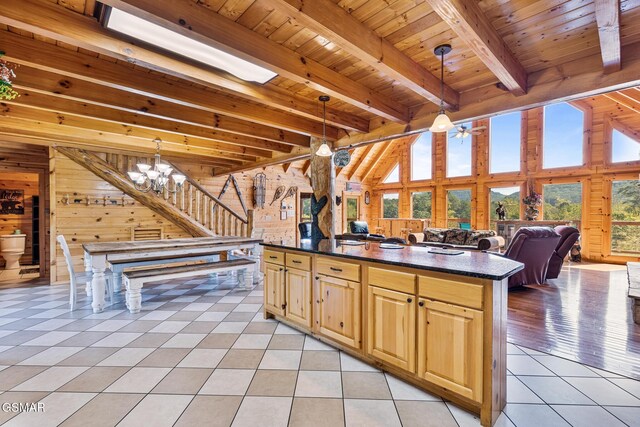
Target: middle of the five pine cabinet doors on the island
pixel 340 310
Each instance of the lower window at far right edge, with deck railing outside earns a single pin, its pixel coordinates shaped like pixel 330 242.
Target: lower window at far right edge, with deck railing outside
pixel 625 217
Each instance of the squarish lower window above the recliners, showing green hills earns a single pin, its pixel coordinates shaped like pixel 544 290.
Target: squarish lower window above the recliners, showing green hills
pixel 562 202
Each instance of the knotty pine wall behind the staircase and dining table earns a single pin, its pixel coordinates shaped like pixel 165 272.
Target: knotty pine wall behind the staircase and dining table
pixel 80 223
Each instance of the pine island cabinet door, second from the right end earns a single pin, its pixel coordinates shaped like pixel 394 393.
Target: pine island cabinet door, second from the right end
pixel 392 327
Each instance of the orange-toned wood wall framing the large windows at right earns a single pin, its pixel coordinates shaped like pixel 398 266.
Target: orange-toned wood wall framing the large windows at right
pixel 601 115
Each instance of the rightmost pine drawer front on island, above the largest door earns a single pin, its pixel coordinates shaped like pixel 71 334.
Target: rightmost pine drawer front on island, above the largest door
pixel 455 292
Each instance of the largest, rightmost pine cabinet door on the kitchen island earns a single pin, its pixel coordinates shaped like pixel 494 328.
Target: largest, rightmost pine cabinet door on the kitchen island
pixel 450 347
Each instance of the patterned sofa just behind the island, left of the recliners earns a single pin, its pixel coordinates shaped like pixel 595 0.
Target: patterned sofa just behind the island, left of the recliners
pixel 483 240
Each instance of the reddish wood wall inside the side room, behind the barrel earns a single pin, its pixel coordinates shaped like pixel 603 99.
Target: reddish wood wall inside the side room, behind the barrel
pixel 29 183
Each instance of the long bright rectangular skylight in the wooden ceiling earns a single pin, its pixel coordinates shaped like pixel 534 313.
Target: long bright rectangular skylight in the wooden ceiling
pixel 164 38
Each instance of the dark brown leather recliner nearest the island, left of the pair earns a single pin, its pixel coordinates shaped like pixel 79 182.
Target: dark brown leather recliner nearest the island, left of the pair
pixel 532 246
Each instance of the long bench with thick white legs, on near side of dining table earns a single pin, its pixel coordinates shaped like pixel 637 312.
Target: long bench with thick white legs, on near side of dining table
pixel 134 280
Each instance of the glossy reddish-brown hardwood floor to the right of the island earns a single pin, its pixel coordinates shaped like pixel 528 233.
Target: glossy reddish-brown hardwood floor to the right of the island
pixel 584 315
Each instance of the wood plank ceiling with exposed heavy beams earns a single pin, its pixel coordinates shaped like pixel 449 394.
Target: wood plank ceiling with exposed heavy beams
pixel 83 85
